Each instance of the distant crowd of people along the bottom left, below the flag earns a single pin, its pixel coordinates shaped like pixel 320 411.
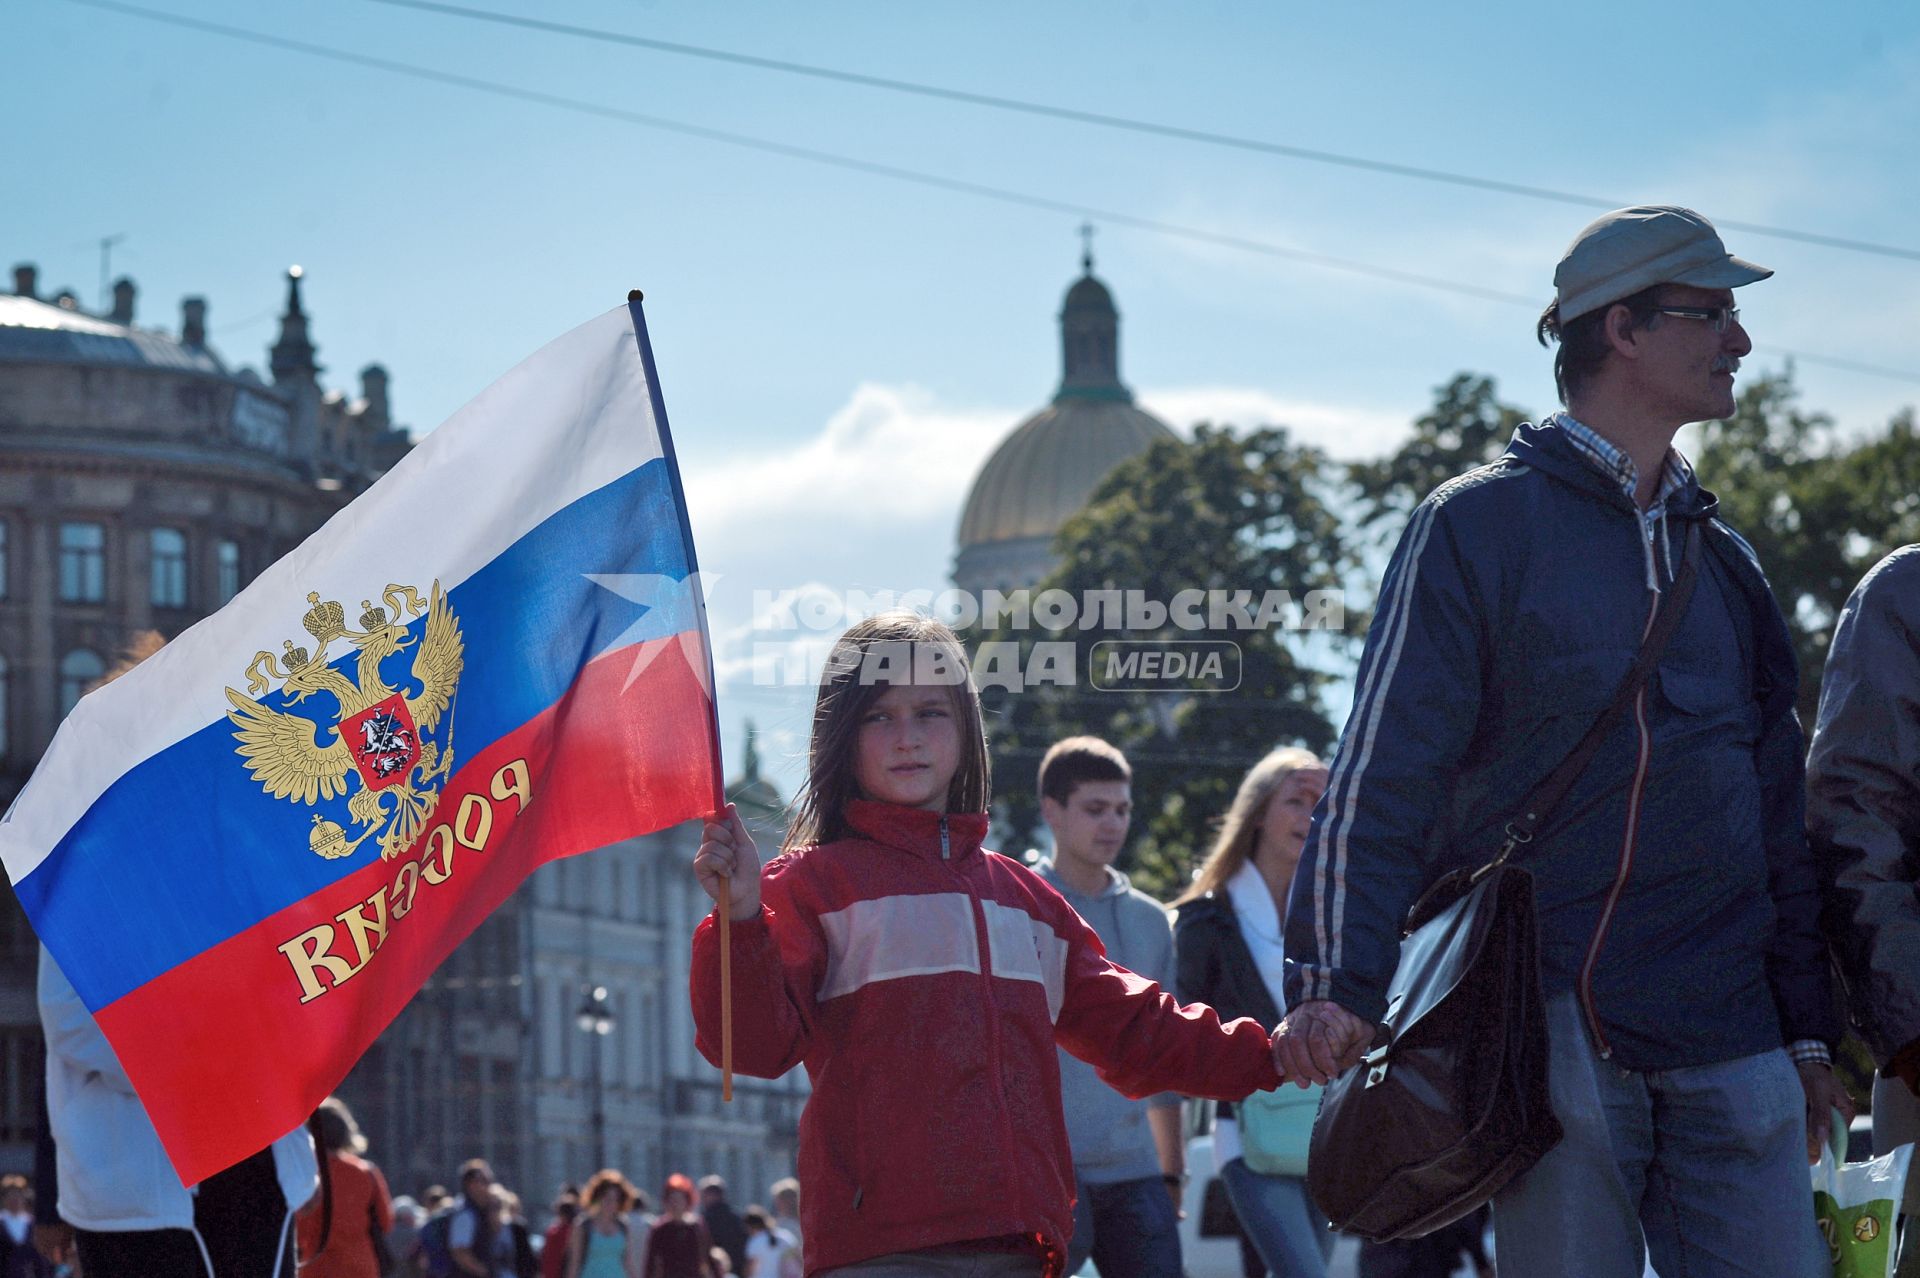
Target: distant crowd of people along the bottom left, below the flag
pixel 339 1219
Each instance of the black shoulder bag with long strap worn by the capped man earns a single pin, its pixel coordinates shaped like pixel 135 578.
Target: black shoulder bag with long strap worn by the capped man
pixel 1452 1100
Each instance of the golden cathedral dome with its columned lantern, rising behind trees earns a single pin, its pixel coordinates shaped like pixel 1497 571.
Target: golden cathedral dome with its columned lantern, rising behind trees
pixel 1049 467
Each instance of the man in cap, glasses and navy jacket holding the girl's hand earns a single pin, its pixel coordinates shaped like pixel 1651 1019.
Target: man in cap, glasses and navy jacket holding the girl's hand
pixel 1689 999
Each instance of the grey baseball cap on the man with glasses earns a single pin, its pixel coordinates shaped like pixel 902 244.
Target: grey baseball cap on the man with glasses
pixel 1643 247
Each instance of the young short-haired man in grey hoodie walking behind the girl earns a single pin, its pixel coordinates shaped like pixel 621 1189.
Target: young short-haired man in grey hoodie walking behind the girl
pixel 1130 1156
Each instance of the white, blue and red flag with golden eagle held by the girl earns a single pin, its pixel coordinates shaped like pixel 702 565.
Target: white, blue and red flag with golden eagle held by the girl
pixel 251 853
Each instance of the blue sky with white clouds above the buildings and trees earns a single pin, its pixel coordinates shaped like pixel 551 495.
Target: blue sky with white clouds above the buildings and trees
pixel 840 352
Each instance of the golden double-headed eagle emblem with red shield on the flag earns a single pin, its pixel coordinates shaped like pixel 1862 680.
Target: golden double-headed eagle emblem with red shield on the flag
pixel 379 734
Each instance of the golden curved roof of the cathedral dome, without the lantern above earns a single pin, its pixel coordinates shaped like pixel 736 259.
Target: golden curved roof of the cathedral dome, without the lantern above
pixel 1047 469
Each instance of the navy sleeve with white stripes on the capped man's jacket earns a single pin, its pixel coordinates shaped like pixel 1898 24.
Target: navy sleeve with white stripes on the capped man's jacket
pixel 1416 707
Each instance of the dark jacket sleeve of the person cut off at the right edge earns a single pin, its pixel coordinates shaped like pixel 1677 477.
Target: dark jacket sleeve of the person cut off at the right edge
pixel 1863 809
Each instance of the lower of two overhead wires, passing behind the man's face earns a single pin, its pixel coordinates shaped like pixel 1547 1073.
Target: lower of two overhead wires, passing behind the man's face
pixel 892 172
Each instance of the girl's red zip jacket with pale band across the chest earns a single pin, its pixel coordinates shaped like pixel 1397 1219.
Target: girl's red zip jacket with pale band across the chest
pixel 924 985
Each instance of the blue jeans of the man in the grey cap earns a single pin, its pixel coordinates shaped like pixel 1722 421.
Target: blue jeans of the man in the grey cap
pixel 1708 1164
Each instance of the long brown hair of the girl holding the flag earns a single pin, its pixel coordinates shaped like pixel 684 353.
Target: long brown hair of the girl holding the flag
pixel 865 663
